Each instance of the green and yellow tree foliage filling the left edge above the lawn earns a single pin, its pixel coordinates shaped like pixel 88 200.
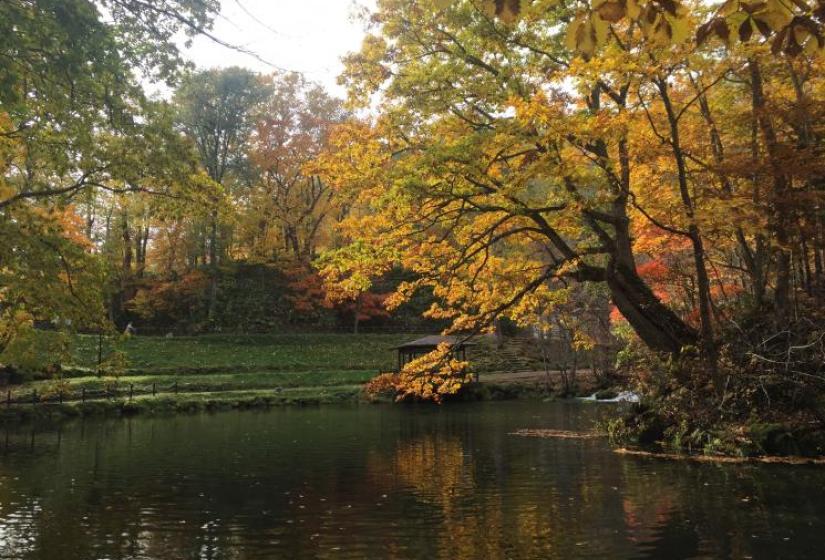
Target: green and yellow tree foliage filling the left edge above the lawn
pixel 73 124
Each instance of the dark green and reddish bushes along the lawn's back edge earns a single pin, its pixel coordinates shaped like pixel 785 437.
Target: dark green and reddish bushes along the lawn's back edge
pixel 260 298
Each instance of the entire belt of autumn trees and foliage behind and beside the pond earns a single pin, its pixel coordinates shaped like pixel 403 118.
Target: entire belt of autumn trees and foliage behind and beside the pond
pixel 557 164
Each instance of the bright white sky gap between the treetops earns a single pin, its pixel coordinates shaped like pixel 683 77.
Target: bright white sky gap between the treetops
pixel 307 36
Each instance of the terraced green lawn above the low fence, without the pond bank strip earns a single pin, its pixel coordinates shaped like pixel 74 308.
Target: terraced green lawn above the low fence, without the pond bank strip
pixel 215 364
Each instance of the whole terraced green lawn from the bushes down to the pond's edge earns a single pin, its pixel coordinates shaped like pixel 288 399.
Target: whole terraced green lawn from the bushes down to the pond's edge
pixel 212 371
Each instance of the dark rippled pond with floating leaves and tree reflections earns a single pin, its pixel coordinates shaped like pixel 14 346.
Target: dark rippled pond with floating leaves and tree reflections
pixel 385 482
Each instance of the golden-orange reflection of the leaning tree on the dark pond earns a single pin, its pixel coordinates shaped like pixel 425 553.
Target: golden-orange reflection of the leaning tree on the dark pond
pixel 486 510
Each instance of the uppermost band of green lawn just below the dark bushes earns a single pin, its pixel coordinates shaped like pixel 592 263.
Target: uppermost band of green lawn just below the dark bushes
pixel 228 353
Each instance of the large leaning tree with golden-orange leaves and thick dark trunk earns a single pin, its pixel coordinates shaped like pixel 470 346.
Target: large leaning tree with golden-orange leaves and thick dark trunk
pixel 478 185
